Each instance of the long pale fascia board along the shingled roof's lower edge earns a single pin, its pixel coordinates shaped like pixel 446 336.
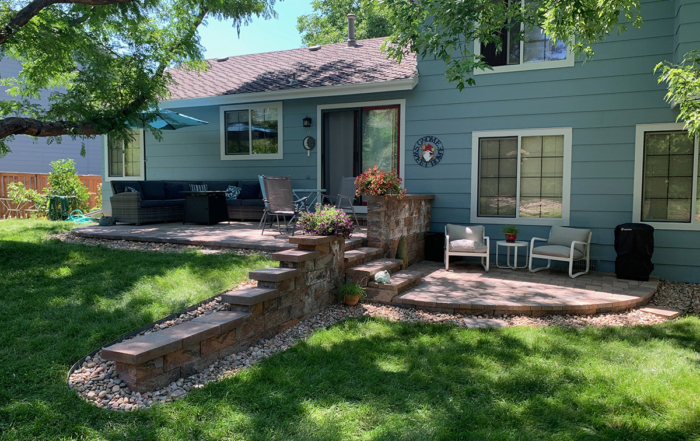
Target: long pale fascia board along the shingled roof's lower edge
pixel 312 92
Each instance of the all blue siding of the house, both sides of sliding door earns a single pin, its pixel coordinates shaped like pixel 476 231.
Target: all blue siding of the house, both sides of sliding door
pixel 602 99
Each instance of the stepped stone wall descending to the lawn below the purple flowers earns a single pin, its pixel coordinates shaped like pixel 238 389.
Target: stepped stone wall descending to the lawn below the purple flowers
pixel 302 286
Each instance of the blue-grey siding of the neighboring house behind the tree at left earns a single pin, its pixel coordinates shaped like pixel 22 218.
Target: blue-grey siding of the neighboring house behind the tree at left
pixel 30 156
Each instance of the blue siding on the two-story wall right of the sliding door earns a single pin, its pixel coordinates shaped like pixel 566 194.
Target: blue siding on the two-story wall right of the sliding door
pixel 602 99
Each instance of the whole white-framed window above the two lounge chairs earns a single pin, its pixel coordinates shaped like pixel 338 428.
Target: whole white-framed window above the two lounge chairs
pixel 521 176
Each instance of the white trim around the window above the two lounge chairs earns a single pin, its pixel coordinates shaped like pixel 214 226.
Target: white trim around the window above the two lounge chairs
pixel 566 184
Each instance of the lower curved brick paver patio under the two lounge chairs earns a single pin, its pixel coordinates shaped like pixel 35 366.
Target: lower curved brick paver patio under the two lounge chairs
pixel 468 287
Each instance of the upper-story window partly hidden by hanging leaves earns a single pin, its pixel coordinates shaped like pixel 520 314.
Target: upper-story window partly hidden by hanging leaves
pixel 535 50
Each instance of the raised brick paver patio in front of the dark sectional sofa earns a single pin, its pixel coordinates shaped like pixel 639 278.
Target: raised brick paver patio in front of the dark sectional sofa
pixel 234 235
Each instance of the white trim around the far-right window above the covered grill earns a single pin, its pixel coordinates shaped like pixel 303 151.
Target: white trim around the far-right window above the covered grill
pixel 639 178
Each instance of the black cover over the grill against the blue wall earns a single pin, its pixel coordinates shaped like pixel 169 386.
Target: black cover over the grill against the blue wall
pixel 634 244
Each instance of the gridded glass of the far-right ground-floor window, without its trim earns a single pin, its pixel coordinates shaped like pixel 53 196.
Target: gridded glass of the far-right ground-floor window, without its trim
pixel 667 186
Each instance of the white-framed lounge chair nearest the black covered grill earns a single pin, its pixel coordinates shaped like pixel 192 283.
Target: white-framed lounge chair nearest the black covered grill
pixel 566 245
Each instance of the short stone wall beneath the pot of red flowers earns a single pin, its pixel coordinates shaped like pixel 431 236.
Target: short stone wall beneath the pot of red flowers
pixel 390 218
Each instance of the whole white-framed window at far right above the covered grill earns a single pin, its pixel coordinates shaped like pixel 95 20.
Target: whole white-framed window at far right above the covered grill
pixel 666 177
